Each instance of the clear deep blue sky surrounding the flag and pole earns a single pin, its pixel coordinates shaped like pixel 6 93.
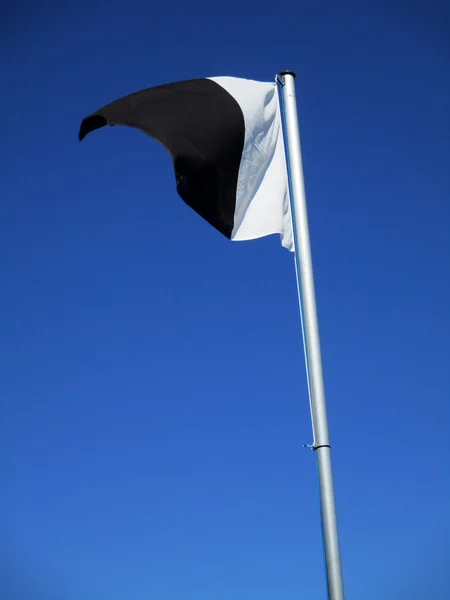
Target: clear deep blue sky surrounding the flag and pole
pixel 153 392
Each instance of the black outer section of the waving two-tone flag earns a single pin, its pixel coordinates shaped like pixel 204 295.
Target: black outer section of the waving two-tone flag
pixel 202 126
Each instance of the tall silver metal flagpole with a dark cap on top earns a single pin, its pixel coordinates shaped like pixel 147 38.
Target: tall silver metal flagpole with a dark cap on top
pixel 305 281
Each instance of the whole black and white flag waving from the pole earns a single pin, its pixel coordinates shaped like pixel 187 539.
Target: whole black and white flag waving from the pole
pixel 225 137
